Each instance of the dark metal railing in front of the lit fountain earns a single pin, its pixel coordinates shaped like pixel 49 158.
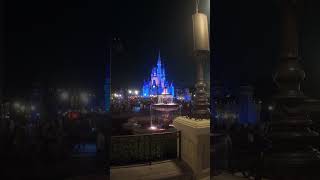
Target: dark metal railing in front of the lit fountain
pixel 145 148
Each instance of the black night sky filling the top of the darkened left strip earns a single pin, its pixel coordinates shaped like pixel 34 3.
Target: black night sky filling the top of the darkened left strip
pixel 63 41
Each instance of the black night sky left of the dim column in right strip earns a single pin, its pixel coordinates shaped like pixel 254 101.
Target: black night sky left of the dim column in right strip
pixel 245 37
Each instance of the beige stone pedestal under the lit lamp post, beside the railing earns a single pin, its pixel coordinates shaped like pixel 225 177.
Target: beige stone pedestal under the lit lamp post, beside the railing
pixel 195 145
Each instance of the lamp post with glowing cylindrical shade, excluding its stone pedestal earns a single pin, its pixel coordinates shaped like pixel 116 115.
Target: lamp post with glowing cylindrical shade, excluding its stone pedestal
pixel 201 53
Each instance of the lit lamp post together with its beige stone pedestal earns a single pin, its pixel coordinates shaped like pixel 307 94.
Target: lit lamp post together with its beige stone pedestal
pixel 195 130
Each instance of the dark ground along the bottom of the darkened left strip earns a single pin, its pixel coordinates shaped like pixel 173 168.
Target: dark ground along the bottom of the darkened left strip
pixel 82 165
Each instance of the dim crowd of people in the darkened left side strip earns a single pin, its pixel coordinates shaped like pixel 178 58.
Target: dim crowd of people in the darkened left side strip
pixel 28 146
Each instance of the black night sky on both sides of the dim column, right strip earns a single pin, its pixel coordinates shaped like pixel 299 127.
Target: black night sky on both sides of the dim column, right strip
pixel 246 44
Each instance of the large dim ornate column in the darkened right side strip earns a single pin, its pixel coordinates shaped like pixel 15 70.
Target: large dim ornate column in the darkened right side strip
pixel 291 155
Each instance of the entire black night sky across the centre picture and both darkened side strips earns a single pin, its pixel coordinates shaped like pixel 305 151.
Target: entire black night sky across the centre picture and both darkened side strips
pixel 68 41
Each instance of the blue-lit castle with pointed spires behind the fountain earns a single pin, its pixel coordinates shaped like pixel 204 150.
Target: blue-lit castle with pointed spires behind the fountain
pixel 157 84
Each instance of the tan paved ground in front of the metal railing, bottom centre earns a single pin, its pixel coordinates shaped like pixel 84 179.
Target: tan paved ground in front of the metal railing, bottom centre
pixel 172 170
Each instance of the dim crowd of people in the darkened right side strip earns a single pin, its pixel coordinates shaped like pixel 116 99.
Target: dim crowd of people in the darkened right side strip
pixel 239 148
